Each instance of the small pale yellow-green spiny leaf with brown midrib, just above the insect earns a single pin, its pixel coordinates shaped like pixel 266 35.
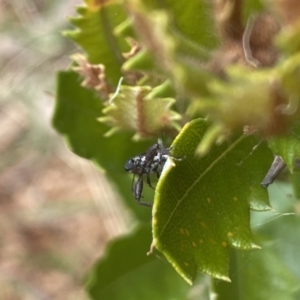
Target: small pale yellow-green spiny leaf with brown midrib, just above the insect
pixel 132 110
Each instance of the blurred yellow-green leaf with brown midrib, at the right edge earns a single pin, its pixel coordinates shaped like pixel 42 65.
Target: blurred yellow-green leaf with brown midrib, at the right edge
pixel 250 98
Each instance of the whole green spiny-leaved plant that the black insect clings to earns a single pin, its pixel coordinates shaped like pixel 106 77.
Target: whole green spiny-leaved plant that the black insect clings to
pixel 225 75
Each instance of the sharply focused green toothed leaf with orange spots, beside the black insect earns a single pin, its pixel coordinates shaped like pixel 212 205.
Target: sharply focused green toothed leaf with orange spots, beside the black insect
pixel 202 204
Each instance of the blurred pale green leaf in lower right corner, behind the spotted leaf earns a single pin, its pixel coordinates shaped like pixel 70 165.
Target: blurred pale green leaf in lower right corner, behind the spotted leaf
pixel 270 273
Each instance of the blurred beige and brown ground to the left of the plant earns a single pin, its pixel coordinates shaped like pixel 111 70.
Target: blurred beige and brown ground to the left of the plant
pixel 57 211
